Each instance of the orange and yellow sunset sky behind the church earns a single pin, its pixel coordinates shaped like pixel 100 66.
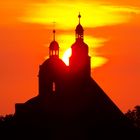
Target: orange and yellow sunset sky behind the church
pixel 112 32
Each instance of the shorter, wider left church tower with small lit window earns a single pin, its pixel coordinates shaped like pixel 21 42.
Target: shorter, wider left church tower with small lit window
pixel 52 72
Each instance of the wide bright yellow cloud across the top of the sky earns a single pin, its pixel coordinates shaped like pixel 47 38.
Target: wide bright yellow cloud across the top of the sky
pixel 94 14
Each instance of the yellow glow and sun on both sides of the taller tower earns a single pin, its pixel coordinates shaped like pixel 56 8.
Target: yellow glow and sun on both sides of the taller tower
pixel 65 51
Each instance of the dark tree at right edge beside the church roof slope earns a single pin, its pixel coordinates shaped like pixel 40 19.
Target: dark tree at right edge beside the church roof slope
pixel 134 116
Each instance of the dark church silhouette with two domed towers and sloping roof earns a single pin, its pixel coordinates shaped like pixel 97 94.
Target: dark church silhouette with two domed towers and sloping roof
pixel 70 104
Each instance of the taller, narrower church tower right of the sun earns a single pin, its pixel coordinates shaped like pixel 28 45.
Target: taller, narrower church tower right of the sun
pixel 79 61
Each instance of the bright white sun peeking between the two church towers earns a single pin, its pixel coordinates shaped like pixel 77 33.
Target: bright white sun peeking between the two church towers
pixel 66 56
